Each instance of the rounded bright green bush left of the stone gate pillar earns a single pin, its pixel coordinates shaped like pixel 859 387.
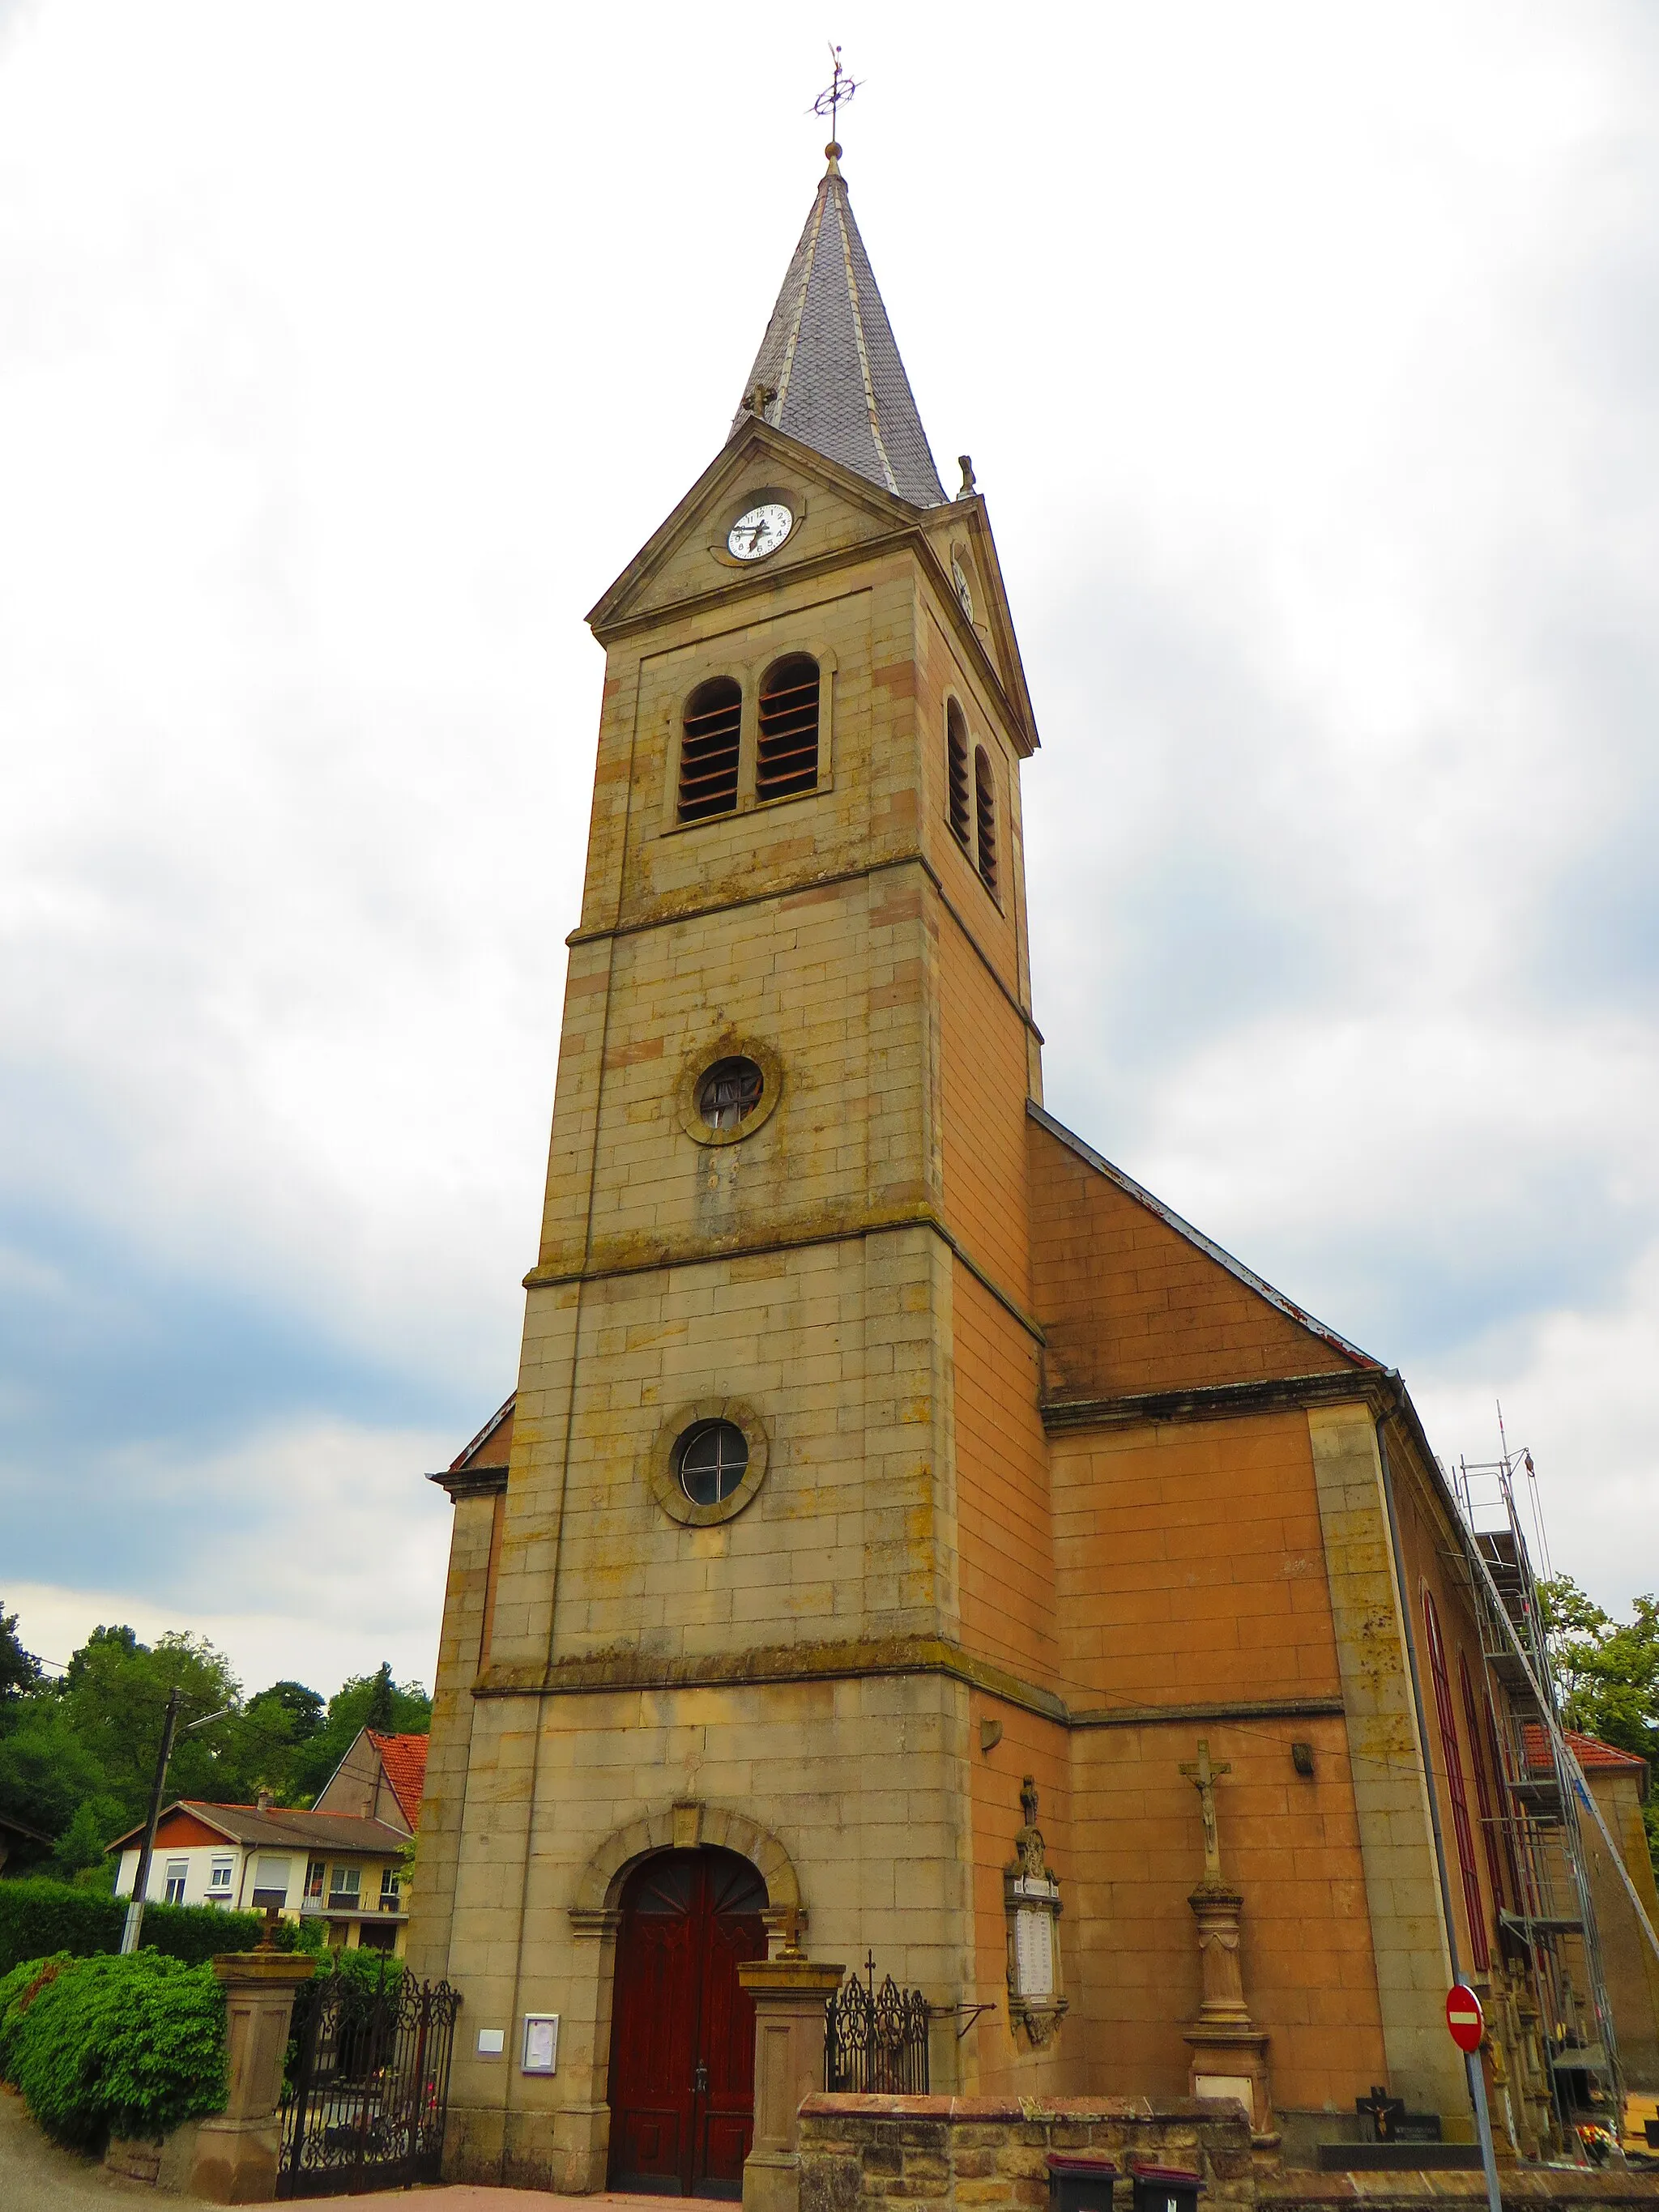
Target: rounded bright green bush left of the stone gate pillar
pixel 114 2045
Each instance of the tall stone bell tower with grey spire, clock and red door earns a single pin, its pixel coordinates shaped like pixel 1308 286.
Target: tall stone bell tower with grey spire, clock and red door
pixel 778 1492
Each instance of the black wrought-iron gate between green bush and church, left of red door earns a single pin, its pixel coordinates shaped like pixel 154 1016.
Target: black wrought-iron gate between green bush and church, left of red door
pixel 368 2085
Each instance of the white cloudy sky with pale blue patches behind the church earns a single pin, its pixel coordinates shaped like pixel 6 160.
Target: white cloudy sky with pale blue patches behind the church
pixel 348 351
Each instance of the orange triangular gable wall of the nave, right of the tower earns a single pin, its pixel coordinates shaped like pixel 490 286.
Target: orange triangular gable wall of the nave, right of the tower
pixel 1134 1300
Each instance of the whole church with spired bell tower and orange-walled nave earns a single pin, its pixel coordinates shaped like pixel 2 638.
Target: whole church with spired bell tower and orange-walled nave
pixel 910 1545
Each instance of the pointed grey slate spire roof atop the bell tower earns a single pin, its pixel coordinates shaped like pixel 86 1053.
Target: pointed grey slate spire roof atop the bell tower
pixel 831 362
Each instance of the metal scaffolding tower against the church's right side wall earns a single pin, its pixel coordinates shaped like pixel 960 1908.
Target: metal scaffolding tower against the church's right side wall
pixel 1547 1921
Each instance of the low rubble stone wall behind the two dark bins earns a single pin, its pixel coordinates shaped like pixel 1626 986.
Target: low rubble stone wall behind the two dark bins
pixel 935 2153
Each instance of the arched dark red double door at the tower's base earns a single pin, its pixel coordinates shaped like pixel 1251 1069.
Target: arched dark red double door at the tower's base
pixel 682 2030
